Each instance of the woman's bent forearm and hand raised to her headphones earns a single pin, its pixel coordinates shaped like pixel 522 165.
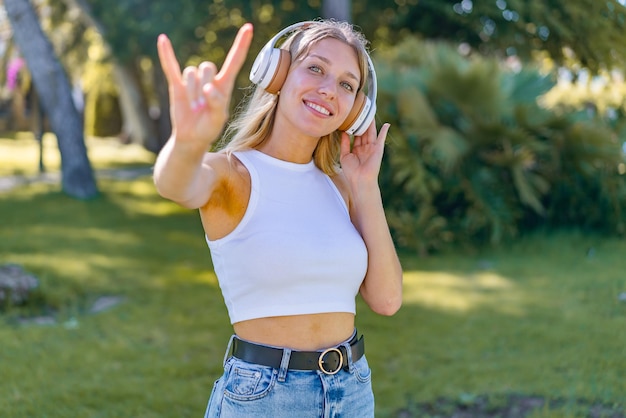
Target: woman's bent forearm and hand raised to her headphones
pixel 382 287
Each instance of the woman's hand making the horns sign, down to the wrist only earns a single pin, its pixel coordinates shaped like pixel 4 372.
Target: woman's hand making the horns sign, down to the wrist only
pixel 200 96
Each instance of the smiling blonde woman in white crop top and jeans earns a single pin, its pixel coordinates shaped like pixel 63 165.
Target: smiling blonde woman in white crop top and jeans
pixel 292 214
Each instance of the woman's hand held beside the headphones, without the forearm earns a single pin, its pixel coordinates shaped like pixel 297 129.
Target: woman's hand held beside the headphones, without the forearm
pixel 362 162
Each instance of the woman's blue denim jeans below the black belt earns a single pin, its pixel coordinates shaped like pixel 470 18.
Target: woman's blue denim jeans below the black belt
pixel 250 390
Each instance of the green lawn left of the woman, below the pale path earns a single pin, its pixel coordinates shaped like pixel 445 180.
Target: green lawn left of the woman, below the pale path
pixel 148 356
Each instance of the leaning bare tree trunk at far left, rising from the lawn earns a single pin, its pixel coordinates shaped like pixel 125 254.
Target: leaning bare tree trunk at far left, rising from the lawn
pixel 55 93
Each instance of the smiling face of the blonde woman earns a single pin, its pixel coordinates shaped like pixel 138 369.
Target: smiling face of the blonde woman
pixel 320 89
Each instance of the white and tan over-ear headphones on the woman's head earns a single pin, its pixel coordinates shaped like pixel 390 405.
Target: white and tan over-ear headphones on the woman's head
pixel 270 70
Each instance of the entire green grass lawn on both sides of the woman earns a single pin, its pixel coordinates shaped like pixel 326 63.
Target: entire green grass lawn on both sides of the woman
pixel 541 317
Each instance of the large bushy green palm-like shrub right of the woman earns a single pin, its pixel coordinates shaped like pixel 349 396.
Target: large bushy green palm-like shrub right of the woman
pixel 473 158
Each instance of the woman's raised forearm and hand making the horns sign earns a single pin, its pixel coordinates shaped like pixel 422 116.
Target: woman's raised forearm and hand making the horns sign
pixel 199 102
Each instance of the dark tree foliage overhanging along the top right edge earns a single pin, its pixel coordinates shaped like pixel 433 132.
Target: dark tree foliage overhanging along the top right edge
pixel 590 33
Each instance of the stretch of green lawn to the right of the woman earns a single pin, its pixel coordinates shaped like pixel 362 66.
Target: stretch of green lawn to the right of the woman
pixel 541 317
